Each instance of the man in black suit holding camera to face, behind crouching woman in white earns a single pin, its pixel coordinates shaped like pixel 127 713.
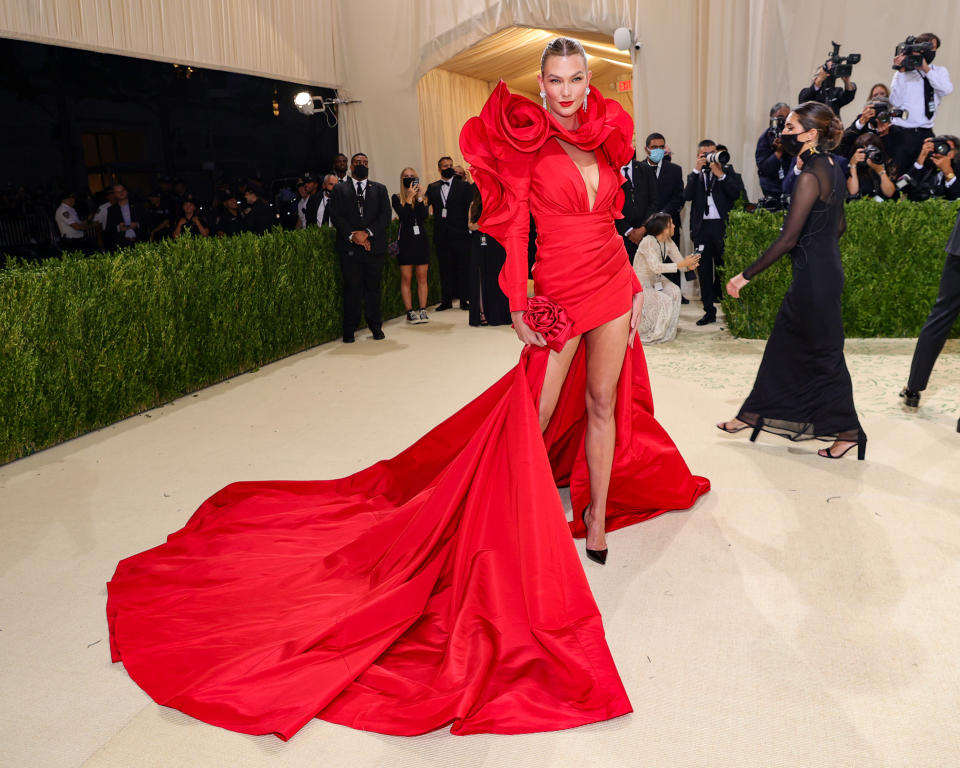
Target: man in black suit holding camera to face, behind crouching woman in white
pixel 712 190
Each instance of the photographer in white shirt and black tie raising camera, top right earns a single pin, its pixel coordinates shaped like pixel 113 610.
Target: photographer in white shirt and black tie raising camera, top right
pixel 918 86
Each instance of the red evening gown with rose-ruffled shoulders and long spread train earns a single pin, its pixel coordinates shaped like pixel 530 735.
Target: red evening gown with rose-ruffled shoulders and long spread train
pixel 442 586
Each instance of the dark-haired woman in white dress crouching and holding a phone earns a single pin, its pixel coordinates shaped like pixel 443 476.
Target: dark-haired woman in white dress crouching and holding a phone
pixel 661 298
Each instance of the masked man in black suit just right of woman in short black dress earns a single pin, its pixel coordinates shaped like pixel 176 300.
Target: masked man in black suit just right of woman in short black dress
pixel 449 198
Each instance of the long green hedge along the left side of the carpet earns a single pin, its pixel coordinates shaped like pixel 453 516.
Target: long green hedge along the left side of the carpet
pixel 87 341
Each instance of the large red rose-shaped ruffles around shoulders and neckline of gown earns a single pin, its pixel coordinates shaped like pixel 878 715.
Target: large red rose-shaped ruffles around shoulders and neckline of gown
pixel 500 143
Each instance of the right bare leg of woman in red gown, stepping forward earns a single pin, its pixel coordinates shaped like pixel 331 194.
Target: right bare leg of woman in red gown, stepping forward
pixel 606 346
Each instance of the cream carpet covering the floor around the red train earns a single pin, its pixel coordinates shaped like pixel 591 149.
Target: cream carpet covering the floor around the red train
pixel 802 614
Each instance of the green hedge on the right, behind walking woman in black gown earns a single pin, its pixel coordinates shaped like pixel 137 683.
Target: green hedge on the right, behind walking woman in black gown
pixel 892 256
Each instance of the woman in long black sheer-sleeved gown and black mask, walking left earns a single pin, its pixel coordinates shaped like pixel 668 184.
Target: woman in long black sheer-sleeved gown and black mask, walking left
pixel 803 389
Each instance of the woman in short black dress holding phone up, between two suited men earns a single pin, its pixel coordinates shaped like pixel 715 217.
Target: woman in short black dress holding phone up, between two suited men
pixel 414 250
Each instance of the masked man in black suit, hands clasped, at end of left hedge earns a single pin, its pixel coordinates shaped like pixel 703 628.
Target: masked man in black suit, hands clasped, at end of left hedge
pixel 361 214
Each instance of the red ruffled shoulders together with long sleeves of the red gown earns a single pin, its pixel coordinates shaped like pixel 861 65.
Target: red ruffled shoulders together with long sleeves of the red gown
pixel 500 146
